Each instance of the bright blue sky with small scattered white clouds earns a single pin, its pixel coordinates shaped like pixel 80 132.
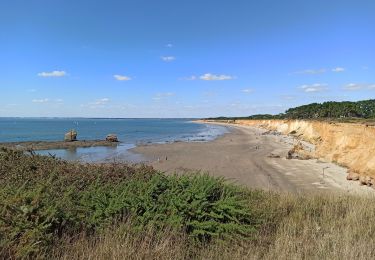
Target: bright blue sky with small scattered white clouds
pixel 174 58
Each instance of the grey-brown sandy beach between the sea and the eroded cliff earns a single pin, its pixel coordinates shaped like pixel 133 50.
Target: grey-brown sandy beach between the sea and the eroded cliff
pixel 254 158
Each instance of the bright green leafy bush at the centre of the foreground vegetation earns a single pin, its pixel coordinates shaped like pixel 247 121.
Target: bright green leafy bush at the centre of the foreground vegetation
pixel 203 205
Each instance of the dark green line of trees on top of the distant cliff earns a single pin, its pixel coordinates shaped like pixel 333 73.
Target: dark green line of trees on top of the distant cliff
pixel 327 110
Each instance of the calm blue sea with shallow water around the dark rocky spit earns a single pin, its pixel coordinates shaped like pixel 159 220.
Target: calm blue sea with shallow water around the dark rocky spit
pixel 131 132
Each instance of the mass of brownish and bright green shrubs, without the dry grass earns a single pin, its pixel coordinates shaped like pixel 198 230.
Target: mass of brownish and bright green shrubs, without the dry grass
pixel 44 199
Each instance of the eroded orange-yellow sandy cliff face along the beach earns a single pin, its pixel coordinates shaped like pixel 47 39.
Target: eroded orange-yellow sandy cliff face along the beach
pixel 349 145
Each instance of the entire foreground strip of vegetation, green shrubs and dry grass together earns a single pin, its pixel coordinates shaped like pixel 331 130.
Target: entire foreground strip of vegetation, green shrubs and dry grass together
pixel 54 209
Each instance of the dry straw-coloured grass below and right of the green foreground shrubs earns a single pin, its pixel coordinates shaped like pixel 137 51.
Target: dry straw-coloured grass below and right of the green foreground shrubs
pixel 298 227
